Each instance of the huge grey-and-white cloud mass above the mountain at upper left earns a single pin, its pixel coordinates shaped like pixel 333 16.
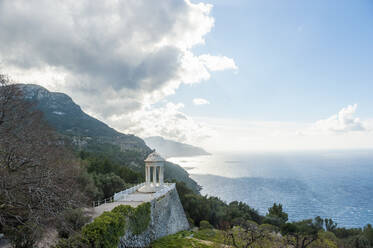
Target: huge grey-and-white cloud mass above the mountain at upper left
pixel 114 58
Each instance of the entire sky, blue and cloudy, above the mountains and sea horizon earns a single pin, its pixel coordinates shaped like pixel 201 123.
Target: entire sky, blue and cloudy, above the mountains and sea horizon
pixel 226 75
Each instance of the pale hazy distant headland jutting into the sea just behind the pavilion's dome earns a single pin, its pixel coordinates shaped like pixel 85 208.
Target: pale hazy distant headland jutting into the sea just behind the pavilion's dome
pixel 169 148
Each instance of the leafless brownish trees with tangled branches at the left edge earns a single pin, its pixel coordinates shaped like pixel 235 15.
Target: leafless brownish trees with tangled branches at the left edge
pixel 38 176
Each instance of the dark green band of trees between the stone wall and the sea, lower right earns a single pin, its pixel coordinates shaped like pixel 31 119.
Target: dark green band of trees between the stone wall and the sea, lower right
pixel 245 227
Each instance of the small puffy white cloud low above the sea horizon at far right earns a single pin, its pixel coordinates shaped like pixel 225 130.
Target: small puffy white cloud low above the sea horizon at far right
pixel 343 122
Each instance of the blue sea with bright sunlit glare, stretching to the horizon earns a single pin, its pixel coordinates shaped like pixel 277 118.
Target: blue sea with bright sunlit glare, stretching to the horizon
pixel 330 184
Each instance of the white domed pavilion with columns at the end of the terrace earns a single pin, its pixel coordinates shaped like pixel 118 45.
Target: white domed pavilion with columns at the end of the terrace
pixel 154 173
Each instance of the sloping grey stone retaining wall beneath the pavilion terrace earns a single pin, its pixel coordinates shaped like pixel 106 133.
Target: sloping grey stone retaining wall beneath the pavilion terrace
pixel 167 217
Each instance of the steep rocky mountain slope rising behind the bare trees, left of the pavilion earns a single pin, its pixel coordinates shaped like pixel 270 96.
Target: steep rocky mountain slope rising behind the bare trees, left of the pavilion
pixel 68 118
